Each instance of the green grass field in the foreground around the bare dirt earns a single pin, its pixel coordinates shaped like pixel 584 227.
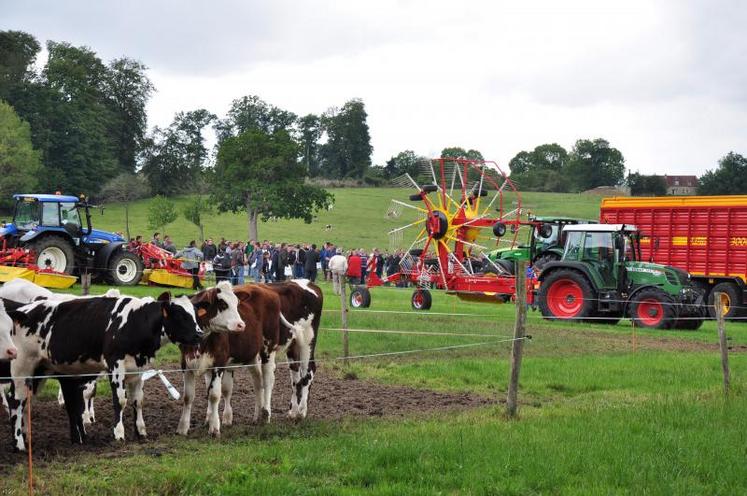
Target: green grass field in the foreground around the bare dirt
pixel 597 417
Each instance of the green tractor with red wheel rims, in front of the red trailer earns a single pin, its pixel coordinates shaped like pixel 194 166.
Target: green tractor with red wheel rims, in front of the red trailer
pixel 601 278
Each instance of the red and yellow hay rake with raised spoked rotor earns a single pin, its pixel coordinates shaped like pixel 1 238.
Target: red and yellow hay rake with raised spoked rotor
pixel 460 206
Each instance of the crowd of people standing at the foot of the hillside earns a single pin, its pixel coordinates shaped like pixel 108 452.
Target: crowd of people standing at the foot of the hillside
pixel 262 262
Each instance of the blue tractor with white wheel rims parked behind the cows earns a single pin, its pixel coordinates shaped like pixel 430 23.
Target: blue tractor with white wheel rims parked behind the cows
pixel 57 231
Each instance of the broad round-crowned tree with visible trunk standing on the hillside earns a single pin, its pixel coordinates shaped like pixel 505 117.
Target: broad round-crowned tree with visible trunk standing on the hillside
pixel 259 173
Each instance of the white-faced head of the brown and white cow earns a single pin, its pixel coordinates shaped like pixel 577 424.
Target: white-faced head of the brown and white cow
pixel 217 309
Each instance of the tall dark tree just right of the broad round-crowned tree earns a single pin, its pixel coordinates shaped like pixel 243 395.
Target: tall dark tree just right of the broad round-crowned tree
pixel 347 152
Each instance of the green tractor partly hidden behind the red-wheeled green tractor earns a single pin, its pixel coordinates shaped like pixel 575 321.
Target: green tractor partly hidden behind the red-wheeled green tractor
pixel 545 243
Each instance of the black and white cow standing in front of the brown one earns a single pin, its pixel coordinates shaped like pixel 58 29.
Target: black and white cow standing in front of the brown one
pixel 86 336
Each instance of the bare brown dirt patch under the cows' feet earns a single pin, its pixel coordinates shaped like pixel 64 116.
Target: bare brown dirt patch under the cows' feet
pixel 331 399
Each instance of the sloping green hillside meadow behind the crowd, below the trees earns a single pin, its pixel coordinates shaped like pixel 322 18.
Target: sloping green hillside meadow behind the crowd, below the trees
pixel 358 218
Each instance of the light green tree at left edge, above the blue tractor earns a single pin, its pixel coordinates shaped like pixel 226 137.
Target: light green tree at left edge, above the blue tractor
pixel 19 162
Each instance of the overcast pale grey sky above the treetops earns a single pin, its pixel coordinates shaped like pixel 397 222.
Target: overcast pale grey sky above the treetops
pixel 664 81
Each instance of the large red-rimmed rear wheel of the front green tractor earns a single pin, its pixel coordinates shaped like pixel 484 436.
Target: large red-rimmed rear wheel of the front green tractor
pixel 566 294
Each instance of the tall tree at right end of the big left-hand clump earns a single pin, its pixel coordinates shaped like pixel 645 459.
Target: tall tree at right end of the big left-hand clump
pixel 127 91
